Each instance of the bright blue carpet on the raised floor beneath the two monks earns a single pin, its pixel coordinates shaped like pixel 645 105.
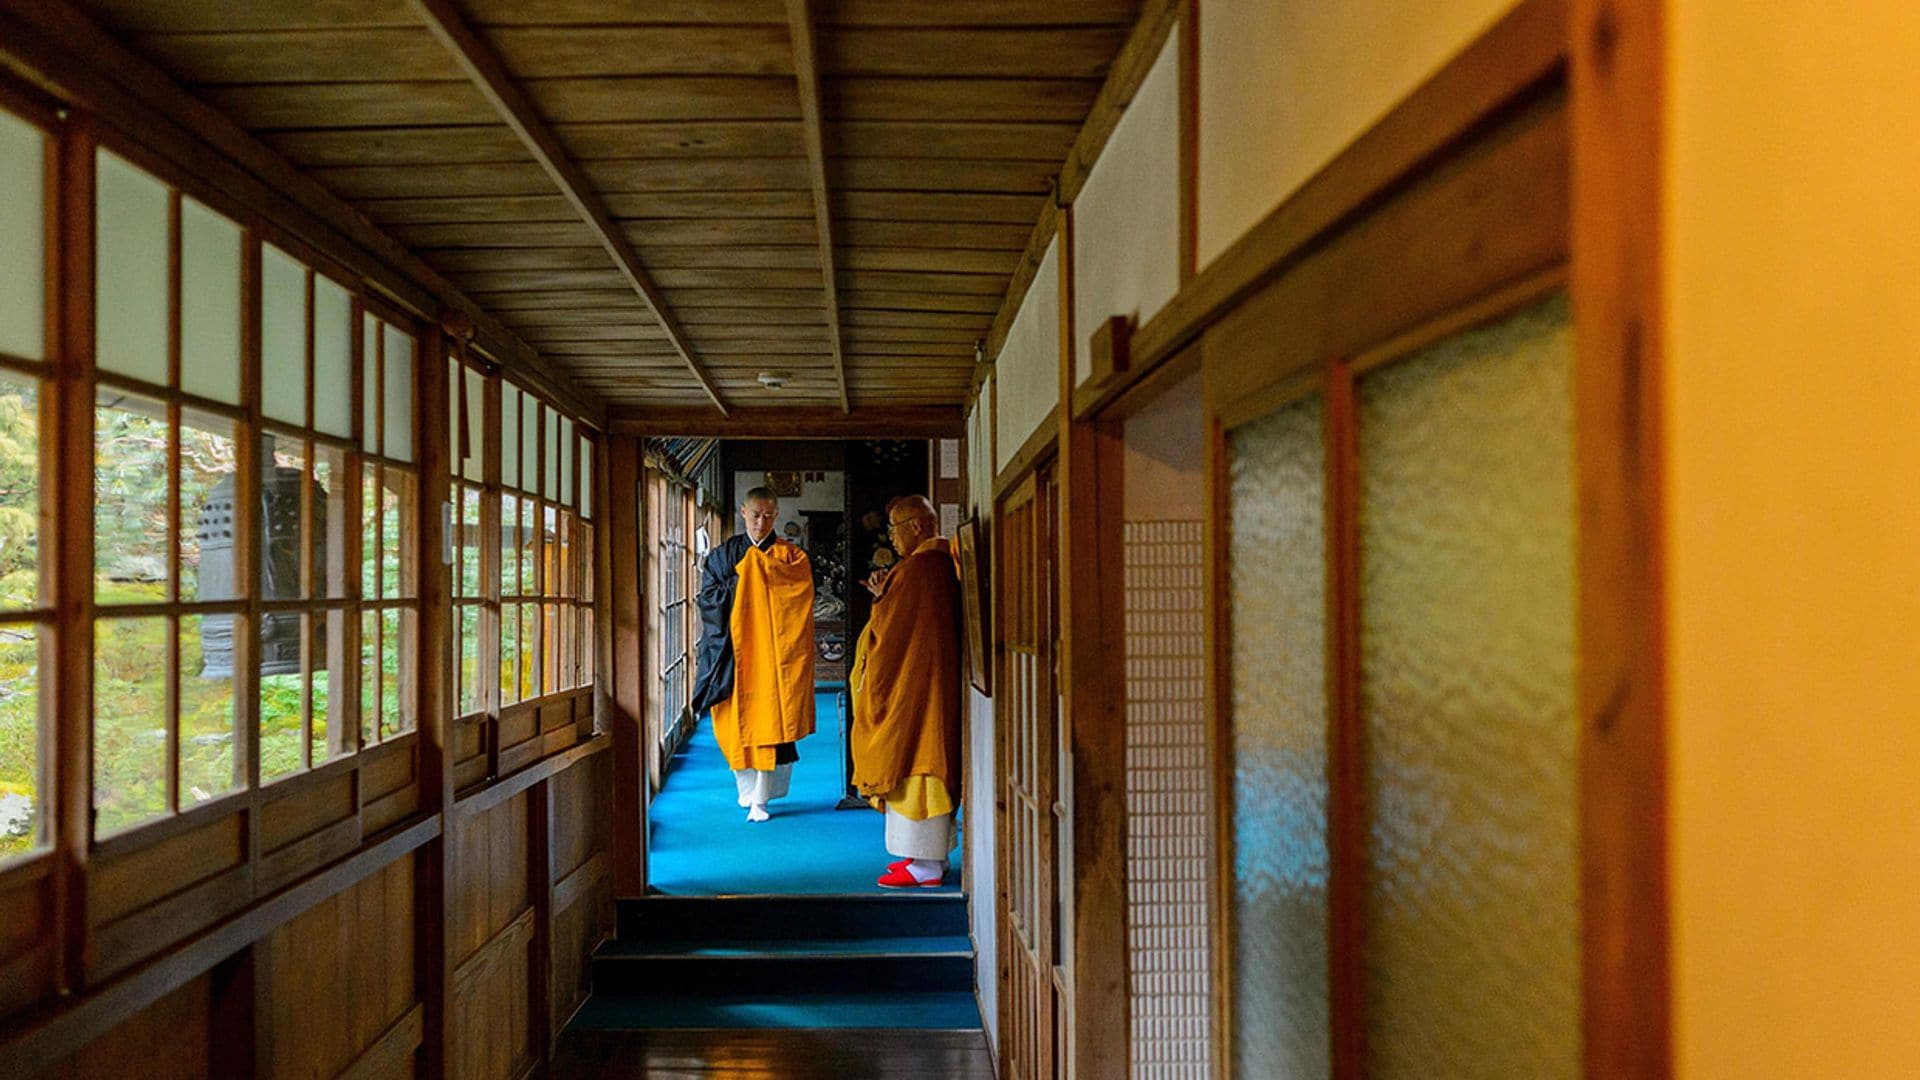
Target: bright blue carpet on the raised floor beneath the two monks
pixel 704 847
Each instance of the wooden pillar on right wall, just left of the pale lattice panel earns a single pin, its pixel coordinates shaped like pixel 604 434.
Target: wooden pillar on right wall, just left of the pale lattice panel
pixel 1092 693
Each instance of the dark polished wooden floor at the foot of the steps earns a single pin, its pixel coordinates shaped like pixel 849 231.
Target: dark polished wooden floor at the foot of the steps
pixel 775 1056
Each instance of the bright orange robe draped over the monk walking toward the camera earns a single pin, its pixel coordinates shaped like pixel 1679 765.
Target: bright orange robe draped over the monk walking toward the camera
pixel 773 631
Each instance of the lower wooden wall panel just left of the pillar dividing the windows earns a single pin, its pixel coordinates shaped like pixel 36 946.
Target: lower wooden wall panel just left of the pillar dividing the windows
pixel 333 981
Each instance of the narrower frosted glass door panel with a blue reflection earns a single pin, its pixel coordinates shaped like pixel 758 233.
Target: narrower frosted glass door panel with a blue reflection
pixel 1278 564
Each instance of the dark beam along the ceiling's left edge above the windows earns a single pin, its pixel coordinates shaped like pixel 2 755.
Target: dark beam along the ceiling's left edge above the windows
pixel 59 49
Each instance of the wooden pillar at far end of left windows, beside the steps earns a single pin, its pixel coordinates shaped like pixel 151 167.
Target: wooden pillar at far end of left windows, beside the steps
pixel 629 708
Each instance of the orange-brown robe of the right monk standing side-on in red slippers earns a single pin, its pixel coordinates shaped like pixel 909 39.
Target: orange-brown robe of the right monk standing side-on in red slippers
pixel 907 689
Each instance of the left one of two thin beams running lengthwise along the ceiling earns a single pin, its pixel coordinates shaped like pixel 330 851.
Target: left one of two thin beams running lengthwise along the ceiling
pixel 517 110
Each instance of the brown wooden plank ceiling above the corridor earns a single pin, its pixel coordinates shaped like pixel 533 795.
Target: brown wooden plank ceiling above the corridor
pixel 694 130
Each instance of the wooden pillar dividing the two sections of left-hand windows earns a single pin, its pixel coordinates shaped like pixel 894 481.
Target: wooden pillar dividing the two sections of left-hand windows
pixel 435 870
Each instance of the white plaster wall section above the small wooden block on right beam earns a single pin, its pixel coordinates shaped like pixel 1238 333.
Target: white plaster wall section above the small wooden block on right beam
pixel 1128 216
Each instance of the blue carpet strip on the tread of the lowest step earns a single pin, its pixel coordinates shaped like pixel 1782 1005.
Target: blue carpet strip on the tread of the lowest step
pixel 926 1012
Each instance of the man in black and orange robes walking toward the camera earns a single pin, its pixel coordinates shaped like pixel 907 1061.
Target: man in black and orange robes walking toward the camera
pixel 757 652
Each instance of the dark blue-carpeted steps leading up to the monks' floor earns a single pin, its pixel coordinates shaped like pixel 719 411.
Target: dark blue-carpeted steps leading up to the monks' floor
pixel 809 962
